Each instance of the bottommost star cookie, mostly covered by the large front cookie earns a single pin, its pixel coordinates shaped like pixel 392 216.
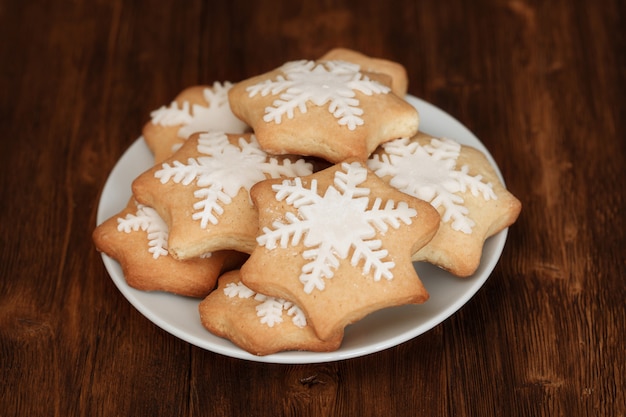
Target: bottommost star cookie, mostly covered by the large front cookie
pixel 257 323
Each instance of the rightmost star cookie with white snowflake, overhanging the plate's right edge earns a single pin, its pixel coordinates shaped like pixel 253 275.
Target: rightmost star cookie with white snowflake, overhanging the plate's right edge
pixel 461 184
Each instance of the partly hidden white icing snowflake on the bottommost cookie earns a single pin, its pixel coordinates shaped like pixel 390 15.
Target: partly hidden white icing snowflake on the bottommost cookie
pixel 270 309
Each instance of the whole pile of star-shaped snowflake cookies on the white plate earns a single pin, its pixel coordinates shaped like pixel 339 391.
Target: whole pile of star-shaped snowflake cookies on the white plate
pixel 294 203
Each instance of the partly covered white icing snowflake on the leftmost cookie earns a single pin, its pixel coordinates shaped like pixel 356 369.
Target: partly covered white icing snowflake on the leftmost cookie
pixel 148 220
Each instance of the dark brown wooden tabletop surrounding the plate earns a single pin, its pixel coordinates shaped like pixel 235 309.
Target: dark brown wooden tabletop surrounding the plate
pixel 541 83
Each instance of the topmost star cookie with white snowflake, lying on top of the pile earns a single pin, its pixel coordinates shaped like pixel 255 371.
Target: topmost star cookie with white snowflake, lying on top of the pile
pixel 329 109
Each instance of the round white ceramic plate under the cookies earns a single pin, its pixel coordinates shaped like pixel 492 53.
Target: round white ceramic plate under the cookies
pixel 378 331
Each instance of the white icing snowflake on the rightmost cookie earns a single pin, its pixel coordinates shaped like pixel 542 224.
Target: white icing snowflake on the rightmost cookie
pixel 430 173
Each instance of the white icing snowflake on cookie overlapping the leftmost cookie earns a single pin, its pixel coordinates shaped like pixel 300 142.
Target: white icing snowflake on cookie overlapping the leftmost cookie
pixel 225 170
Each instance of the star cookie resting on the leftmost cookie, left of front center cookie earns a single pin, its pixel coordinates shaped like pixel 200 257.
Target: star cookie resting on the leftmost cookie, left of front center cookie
pixel 202 191
